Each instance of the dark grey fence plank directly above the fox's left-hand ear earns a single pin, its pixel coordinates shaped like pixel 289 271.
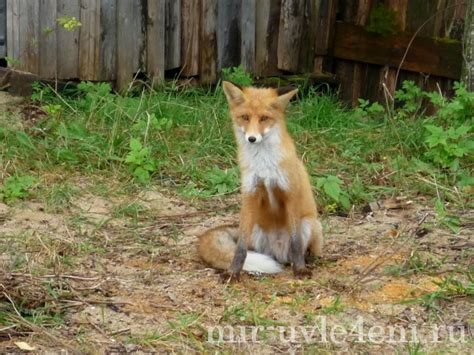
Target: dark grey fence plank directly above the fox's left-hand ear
pixel 228 34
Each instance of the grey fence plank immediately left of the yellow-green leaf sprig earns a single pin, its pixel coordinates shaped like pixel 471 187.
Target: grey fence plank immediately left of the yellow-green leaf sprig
pixel 47 42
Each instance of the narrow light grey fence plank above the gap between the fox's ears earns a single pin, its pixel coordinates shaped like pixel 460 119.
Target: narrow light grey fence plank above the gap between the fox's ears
pixel 248 35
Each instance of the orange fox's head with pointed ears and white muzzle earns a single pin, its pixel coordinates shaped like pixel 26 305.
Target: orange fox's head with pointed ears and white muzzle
pixel 256 113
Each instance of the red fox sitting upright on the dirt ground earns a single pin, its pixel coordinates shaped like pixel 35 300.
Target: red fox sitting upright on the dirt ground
pixel 278 219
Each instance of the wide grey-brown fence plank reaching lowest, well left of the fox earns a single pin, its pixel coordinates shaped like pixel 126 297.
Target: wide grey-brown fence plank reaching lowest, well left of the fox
pixel 130 40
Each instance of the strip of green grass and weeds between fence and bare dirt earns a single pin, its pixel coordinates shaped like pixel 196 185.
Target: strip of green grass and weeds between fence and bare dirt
pixel 183 140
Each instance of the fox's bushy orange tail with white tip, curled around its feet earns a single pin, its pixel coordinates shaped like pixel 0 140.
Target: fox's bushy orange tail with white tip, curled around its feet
pixel 217 247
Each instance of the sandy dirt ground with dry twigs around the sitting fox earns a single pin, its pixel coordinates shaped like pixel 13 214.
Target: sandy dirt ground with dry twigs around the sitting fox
pixel 116 271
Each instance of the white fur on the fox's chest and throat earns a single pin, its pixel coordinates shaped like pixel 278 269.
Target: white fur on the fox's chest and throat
pixel 261 163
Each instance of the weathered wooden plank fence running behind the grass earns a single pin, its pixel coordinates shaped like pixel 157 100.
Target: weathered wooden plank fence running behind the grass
pixel 117 39
